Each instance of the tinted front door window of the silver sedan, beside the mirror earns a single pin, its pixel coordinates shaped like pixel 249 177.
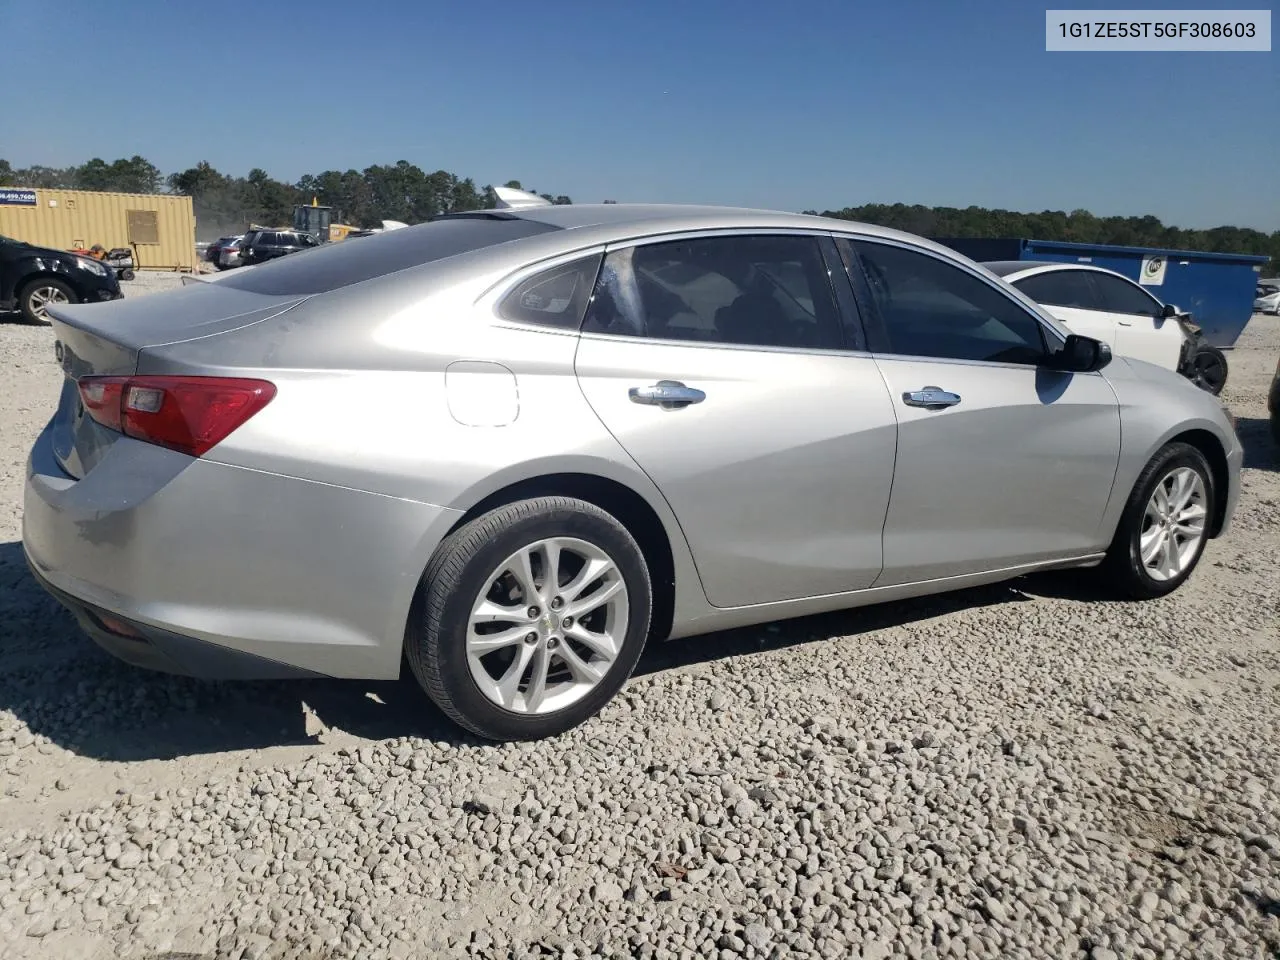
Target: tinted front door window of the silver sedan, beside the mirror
pixel 931 309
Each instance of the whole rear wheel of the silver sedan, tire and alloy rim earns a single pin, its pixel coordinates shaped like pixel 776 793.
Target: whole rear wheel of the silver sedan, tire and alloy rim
pixel 533 619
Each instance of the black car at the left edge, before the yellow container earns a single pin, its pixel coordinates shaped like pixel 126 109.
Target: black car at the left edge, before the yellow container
pixel 35 278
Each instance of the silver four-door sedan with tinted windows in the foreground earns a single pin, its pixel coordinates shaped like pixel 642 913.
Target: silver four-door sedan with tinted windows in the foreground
pixel 518 445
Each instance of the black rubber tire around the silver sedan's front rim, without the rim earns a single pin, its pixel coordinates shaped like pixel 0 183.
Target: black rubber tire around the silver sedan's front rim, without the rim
pixel 1123 568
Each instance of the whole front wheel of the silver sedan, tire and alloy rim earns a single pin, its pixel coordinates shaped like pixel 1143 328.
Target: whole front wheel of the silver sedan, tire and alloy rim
pixel 1165 525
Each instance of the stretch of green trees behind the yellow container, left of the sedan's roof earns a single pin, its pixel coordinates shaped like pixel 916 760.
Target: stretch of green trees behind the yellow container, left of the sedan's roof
pixel 227 204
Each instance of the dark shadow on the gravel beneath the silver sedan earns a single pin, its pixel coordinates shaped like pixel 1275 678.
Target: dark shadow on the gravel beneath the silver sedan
pixel 58 684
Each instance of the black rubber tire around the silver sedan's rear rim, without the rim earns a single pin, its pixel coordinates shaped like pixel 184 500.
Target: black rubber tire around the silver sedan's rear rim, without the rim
pixel 436 644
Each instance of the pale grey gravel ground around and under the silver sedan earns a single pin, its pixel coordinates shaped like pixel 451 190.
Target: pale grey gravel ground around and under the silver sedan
pixel 1023 771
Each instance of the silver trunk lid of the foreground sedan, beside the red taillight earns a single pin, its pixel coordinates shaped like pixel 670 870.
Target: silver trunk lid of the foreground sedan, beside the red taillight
pixel 106 340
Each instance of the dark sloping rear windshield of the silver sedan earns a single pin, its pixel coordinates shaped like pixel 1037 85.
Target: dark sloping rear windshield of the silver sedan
pixel 341 263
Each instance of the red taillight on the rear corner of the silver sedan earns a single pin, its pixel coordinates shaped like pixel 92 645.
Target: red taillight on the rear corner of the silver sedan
pixel 188 414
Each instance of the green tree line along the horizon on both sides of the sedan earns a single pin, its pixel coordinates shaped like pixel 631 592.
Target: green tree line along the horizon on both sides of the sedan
pixel 404 191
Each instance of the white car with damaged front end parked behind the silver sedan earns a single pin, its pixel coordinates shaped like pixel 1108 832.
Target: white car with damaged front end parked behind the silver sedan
pixel 1109 307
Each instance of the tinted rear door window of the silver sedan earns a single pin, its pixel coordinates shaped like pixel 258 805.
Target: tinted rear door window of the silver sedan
pixel 767 291
